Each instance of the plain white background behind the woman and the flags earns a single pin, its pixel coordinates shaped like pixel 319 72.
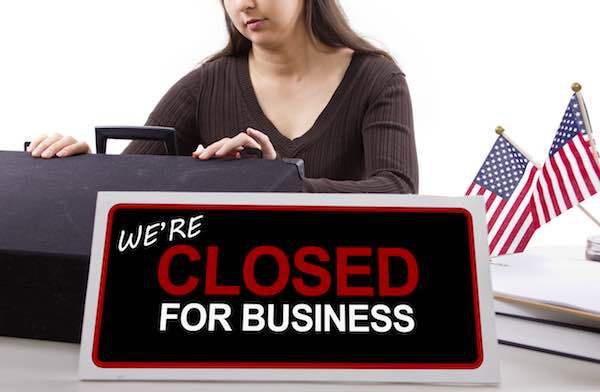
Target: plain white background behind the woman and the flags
pixel 69 65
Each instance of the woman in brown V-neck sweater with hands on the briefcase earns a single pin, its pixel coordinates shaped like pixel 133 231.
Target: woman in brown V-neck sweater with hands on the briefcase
pixel 295 81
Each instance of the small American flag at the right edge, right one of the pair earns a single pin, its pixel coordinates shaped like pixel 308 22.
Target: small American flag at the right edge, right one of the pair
pixel 570 174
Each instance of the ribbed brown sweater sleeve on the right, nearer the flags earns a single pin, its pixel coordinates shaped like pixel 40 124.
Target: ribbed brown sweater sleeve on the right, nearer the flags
pixel 388 144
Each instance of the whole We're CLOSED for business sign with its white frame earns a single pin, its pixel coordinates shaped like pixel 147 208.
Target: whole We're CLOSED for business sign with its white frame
pixel 302 287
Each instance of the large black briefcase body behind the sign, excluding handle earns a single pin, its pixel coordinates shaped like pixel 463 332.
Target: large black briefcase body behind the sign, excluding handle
pixel 47 211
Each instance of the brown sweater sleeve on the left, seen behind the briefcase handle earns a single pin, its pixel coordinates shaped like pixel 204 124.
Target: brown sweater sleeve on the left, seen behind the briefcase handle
pixel 177 109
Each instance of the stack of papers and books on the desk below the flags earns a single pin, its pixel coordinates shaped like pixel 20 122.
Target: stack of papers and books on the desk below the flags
pixel 549 300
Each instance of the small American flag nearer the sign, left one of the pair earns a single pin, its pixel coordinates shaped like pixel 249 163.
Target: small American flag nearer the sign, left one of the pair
pixel 506 181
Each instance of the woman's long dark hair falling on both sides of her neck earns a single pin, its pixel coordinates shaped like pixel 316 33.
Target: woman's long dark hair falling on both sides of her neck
pixel 324 20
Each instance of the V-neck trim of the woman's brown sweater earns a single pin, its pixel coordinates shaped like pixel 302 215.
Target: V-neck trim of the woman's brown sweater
pixel 290 146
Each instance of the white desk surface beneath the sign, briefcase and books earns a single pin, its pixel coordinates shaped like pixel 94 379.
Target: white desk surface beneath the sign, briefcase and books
pixel 36 365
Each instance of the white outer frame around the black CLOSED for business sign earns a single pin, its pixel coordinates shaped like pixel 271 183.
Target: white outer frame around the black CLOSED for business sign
pixel 486 373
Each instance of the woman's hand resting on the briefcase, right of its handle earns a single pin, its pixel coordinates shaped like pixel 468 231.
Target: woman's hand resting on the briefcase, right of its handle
pixel 231 147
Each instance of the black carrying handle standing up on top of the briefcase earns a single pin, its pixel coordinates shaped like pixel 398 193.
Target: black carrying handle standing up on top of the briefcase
pixel 165 134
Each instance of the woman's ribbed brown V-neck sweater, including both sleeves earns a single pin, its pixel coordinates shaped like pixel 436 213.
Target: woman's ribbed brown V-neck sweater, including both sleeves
pixel 363 141
